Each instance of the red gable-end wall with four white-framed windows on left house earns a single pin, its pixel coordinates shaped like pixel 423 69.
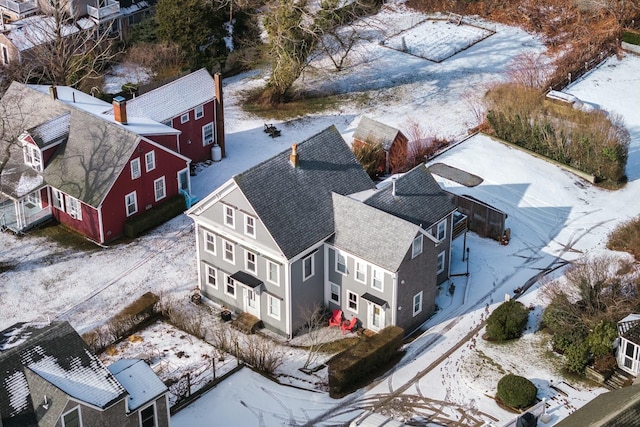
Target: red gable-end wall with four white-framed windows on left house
pixel 113 208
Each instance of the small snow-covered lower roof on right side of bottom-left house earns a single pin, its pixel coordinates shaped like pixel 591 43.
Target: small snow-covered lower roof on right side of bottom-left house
pixel 142 384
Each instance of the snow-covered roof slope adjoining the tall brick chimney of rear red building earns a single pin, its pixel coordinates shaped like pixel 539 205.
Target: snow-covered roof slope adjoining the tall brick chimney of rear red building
pixel 185 93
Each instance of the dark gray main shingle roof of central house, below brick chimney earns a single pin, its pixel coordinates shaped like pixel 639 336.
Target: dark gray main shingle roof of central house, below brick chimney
pixel 294 203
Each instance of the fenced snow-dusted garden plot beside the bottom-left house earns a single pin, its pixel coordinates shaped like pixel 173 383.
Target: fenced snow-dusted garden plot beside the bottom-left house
pixel 182 361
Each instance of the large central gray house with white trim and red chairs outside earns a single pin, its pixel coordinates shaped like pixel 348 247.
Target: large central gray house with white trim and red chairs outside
pixel 308 226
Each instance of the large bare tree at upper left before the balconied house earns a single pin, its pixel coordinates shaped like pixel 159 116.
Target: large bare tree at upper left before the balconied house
pixel 66 49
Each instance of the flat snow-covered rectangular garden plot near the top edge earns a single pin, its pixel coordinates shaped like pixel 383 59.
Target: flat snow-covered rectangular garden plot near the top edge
pixel 437 39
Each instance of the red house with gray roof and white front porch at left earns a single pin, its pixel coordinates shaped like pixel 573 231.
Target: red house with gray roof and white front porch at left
pixel 75 158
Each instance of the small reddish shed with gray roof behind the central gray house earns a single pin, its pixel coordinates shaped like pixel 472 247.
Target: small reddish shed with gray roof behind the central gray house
pixel 393 142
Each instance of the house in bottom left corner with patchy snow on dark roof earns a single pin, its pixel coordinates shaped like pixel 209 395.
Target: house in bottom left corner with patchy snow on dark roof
pixel 49 377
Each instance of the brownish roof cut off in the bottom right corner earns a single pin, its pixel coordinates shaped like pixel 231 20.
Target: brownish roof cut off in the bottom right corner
pixel 604 409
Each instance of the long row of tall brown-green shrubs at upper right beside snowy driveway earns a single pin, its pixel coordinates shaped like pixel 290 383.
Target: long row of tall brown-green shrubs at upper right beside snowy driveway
pixel 589 141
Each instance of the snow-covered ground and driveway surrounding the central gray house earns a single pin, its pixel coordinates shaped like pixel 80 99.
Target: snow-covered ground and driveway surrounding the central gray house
pixel 553 215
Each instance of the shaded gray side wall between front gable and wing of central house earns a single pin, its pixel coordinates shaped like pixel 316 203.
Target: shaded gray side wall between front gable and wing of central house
pixel 305 294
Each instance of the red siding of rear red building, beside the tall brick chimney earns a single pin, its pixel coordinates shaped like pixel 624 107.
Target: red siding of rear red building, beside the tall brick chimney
pixel 191 136
